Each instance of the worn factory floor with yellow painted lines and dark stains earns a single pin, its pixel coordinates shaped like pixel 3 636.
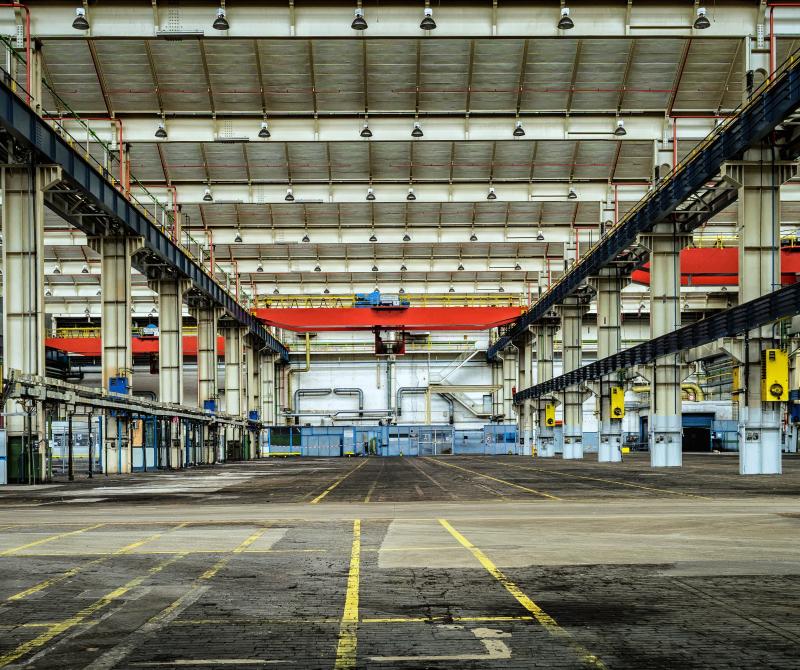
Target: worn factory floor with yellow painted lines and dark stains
pixel 452 562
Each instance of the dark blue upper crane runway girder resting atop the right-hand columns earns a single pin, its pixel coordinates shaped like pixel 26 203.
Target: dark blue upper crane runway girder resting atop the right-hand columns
pixel 693 193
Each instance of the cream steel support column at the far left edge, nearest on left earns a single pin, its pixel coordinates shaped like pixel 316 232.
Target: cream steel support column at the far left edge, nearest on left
pixel 23 307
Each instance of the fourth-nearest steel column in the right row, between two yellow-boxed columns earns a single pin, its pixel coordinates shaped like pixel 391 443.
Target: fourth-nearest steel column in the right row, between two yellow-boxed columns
pixel 571 312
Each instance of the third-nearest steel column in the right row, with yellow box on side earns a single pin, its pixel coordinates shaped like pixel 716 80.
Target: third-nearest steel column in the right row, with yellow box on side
pixel 608 285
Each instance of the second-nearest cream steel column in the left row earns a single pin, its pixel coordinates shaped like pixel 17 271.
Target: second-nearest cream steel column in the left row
pixel 115 284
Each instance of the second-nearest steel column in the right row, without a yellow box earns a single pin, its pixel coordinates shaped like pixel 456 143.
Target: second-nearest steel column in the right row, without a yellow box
pixel 665 431
